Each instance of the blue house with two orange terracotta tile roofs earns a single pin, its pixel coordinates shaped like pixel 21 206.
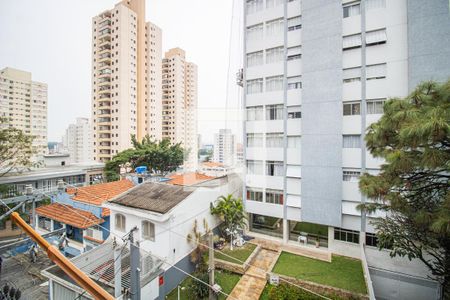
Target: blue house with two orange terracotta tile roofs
pixel 80 211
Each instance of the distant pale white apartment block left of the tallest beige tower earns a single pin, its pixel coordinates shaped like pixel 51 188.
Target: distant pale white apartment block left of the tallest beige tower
pixel 77 141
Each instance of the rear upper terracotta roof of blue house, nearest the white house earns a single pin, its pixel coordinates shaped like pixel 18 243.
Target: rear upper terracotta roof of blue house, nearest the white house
pixel 98 193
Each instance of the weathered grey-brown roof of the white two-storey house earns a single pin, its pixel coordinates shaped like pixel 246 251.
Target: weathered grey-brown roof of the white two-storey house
pixel 156 197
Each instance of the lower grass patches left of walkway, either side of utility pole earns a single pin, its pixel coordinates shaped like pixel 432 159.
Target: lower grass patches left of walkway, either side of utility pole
pixel 226 280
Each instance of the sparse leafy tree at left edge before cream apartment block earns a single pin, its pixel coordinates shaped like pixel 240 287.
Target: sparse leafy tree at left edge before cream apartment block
pixel 15 148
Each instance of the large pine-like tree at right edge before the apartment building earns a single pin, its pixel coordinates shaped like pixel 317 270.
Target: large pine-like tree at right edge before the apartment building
pixel 413 186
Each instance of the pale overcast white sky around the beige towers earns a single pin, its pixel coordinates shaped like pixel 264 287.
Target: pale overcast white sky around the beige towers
pixel 52 40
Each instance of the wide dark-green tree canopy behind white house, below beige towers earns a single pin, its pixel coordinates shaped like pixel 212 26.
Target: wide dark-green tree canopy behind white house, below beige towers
pixel 159 157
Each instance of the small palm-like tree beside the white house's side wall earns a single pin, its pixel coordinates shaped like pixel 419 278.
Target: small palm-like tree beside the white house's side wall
pixel 231 211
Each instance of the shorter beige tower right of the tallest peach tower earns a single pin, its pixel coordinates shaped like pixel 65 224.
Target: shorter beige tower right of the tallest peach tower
pixel 179 103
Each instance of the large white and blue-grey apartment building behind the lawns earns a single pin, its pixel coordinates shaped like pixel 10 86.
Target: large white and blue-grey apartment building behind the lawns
pixel 316 74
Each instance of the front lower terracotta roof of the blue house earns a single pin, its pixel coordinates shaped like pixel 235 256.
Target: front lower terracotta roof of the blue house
pixel 71 216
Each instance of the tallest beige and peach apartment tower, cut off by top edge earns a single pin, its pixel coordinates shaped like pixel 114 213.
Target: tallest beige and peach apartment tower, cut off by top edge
pixel 126 78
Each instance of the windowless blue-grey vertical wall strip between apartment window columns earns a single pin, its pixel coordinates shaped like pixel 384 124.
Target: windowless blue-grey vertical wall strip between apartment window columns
pixel 321 141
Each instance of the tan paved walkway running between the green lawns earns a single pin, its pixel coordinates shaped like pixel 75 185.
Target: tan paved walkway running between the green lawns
pixel 252 283
